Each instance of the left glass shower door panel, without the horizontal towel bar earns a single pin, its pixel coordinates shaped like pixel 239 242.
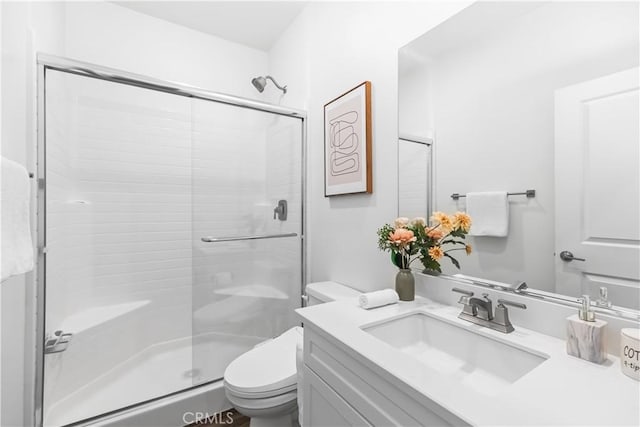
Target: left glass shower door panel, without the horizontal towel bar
pixel 118 276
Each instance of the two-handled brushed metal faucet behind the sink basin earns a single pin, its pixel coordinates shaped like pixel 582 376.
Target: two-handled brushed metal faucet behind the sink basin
pixel 480 311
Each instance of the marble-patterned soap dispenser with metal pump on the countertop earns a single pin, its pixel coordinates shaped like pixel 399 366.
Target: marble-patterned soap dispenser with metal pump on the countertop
pixel 585 334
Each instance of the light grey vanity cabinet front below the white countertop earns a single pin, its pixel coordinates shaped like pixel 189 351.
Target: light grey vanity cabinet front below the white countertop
pixel 342 388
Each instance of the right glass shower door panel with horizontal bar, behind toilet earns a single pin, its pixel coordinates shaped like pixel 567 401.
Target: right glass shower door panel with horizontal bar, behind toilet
pixel 247 254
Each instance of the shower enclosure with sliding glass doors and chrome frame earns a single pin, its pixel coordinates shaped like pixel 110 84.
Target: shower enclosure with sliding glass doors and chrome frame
pixel 165 251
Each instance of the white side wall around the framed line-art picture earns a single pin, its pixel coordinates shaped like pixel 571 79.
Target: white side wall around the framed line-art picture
pixel 328 49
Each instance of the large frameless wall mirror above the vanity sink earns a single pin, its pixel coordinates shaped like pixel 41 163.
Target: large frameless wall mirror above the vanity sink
pixel 516 96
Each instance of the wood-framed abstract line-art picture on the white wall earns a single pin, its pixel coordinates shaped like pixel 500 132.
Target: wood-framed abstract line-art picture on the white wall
pixel 347 143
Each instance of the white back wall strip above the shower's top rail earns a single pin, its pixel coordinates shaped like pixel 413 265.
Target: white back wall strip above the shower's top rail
pixel 107 34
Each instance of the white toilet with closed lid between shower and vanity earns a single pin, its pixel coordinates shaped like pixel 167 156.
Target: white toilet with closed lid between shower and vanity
pixel 262 383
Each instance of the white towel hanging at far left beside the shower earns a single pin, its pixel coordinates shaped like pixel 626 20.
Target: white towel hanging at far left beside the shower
pixel 15 232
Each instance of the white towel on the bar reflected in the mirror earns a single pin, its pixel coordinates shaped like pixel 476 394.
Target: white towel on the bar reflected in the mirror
pixel 489 212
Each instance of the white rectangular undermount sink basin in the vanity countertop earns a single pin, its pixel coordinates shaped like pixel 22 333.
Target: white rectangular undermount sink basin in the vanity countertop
pixel 474 360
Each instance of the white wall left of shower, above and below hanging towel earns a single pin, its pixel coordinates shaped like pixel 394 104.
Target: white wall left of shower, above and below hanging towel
pixel 18 143
